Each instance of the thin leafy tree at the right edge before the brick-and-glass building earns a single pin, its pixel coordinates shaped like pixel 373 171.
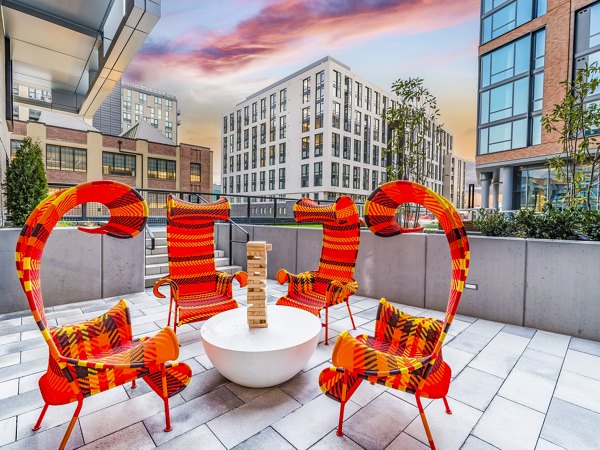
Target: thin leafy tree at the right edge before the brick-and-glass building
pixel 575 122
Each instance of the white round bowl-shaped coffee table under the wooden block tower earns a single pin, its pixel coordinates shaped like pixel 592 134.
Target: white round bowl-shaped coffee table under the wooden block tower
pixel 261 357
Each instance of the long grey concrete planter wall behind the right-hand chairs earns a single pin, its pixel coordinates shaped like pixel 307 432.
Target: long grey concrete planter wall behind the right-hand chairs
pixel 545 284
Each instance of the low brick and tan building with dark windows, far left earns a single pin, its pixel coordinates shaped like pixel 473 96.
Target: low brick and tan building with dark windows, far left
pixel 74 152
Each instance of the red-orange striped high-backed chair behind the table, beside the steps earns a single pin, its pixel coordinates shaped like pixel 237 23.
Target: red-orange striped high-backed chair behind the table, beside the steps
pixel 198 291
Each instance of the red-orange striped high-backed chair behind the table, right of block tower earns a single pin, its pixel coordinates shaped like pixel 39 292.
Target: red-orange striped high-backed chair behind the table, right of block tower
pixel 333 282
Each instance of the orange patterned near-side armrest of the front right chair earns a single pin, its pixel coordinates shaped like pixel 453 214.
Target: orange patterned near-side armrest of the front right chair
pixel 373 363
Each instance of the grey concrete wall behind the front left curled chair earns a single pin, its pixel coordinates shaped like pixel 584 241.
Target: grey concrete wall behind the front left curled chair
pixel 76 266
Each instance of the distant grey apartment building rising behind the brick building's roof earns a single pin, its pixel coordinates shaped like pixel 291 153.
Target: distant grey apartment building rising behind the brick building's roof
pixel 129 103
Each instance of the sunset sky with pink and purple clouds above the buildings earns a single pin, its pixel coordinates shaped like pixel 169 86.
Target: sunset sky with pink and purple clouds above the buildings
pixel 212 54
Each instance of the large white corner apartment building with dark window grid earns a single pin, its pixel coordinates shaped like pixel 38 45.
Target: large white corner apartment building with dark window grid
pixel 317 133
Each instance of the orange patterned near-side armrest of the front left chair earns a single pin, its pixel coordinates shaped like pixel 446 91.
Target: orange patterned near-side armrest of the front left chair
pixel 149 352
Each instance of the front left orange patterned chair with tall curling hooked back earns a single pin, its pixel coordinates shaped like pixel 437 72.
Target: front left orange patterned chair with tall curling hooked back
pixel 99 354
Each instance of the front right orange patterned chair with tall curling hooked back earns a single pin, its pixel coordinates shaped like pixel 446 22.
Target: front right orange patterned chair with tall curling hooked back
pixel 406 351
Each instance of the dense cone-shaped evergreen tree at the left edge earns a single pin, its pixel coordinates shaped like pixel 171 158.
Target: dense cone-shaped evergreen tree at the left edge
pixel 26 183
